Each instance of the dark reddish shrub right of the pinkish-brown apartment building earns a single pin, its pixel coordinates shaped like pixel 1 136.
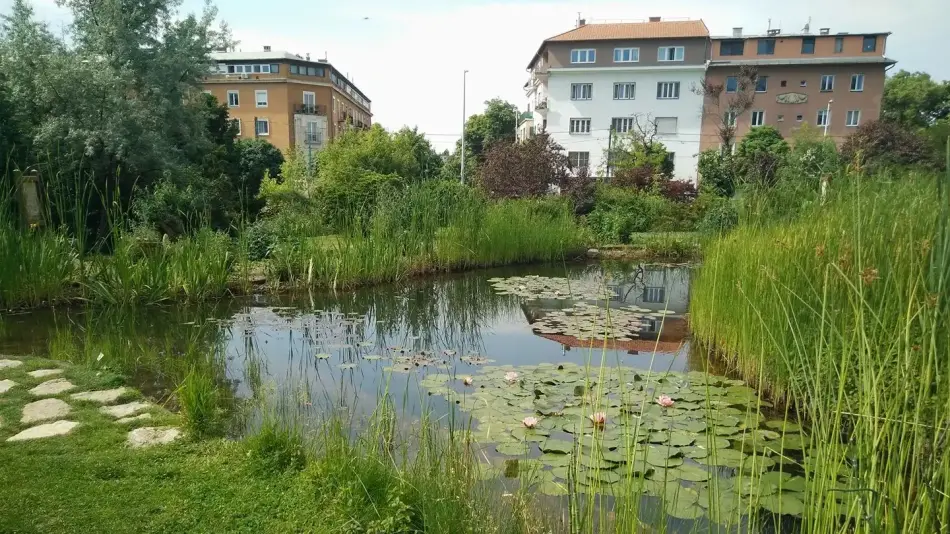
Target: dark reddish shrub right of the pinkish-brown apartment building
pixel 877 145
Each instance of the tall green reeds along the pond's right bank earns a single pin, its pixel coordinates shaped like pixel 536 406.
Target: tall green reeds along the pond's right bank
pixel 843 312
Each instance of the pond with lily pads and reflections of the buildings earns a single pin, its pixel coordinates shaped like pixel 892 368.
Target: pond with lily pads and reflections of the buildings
pixel 582 371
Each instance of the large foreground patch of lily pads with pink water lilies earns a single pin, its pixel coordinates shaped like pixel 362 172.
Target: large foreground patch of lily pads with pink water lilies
pixel 698 437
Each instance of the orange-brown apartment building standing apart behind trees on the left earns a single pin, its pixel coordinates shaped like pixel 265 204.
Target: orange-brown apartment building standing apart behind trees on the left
pixel 287 99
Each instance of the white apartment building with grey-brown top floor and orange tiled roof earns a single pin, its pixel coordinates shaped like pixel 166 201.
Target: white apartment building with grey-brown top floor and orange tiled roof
pixel 599 80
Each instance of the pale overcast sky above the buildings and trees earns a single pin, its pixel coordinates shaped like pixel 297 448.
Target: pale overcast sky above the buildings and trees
pixel 408 55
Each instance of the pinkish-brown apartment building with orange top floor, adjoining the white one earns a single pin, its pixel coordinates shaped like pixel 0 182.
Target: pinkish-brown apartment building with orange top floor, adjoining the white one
pixel 832 81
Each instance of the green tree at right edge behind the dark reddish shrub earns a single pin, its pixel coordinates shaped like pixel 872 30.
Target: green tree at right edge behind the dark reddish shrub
pixel 915 100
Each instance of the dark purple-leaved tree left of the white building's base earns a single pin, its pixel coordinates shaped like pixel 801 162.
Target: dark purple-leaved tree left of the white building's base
pixel 520 170
